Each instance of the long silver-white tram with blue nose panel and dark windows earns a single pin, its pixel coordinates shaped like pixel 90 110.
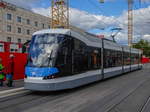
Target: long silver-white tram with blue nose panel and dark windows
pixel 64 59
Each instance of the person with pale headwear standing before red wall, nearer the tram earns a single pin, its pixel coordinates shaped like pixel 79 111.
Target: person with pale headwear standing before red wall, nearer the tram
pixel 10 71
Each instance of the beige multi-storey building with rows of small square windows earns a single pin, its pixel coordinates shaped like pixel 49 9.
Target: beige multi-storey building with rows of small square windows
pixel 17 24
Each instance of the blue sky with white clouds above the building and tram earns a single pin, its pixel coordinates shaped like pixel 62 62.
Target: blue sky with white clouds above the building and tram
pixel 98 18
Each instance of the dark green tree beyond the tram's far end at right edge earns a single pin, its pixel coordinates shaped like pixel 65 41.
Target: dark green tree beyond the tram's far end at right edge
pixel 143 45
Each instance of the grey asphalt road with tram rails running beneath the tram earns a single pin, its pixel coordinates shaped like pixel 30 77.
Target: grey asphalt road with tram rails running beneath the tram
pixel 127 93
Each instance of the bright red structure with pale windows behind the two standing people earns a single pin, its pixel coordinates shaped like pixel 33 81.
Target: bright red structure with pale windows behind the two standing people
pixel 15 49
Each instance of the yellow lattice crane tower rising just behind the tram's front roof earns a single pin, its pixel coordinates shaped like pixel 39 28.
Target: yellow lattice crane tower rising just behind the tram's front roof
pixel 60 14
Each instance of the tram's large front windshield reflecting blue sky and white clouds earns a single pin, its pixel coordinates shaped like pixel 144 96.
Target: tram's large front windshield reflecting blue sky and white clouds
pixel 43 50
